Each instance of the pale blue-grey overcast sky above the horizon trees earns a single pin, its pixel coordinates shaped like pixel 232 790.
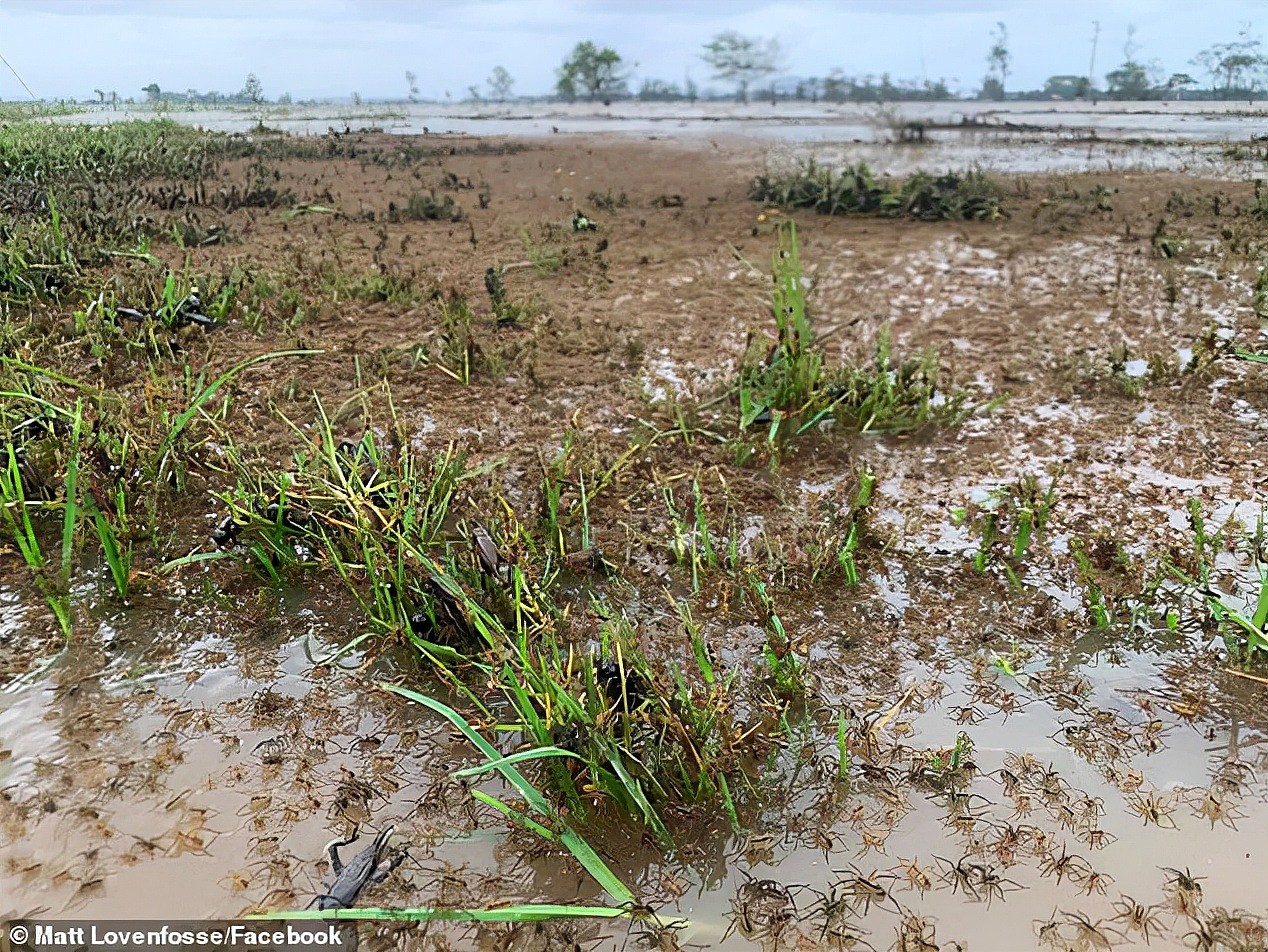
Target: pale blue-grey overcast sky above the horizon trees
pixel 314 49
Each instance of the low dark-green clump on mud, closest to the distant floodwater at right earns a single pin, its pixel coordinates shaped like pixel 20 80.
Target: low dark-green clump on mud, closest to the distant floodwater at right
pixel 969 196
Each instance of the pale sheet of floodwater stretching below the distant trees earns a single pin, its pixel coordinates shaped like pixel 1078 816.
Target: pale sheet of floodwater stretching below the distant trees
pixel 1021 138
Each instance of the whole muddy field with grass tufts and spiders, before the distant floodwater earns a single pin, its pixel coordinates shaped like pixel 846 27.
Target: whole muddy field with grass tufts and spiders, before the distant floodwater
pixel 659 547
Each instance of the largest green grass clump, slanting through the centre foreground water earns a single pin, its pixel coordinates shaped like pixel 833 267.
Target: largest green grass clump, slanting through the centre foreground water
pixel 481 604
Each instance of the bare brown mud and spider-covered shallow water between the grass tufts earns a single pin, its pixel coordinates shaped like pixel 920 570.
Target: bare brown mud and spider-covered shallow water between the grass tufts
pixel 191 755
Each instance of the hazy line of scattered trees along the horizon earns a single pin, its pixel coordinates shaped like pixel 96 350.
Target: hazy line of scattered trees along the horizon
pixel 750 67
